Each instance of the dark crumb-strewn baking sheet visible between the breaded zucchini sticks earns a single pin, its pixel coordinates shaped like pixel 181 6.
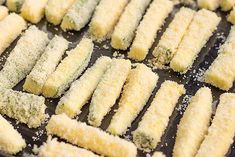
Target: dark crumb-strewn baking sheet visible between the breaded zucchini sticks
pixel 191 80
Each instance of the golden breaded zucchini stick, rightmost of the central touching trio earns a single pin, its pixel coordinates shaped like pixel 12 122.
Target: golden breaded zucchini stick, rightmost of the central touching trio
pixel 137 90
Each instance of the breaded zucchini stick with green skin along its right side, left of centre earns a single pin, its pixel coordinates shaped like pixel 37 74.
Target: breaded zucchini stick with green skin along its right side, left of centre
pixel 69 69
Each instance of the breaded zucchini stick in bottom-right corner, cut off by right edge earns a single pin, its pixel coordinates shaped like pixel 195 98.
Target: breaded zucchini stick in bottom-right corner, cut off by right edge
pixel 221 132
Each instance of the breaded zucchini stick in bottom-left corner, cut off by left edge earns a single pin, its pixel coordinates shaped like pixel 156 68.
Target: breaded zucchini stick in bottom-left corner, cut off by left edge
pixel 10 140
